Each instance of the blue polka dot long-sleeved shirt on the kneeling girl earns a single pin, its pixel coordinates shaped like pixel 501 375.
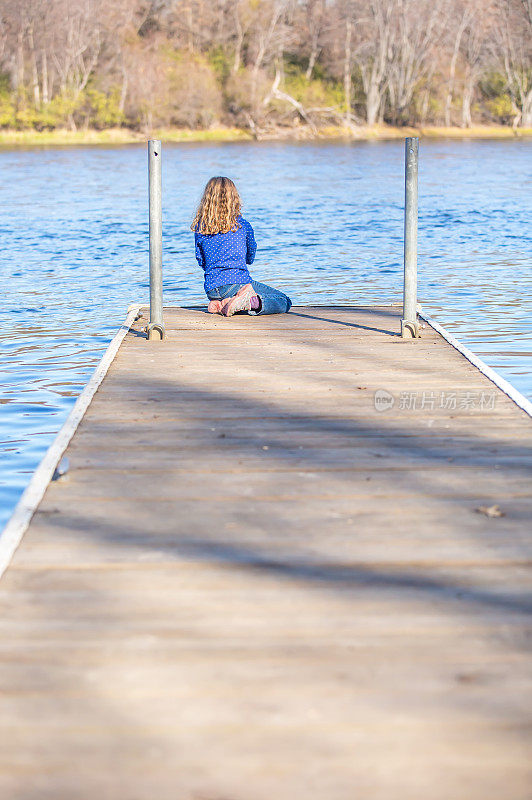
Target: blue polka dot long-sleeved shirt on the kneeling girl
pixel 224 256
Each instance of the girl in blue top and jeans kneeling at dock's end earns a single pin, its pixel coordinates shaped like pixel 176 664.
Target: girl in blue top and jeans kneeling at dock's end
pixel 225 245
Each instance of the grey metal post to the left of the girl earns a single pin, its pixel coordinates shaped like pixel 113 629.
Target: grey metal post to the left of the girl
pixel 156 327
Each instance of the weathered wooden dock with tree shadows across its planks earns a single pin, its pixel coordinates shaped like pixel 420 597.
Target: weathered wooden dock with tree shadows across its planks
pixel 253 584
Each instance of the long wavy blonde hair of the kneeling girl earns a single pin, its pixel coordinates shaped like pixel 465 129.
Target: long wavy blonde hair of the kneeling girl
pixel 219 208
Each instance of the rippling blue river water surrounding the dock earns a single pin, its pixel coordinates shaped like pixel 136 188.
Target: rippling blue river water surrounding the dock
pixel 328 221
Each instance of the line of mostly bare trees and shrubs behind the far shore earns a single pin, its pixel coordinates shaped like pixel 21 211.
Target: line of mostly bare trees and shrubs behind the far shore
pixel 264 64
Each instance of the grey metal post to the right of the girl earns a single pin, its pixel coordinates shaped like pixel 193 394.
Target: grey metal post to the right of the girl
pixel 409 323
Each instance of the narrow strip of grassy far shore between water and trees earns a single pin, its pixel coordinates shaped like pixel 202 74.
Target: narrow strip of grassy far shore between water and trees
pixel 119 136
